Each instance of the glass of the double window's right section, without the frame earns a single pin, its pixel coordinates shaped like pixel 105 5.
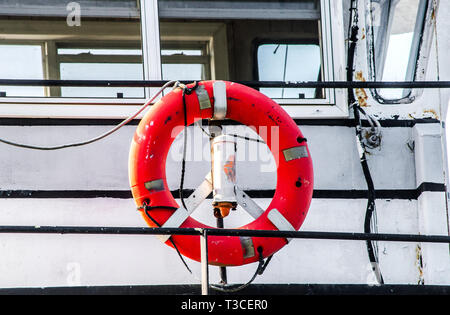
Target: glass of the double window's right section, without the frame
pixel 243 37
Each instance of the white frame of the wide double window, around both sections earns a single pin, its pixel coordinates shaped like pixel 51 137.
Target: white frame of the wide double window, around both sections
pixel 332 36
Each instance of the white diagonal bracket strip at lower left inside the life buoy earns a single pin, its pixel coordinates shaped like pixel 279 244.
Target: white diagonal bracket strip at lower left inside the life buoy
pixel 192 202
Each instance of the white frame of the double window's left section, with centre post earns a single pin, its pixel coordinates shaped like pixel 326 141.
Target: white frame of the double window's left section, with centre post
pixel 89 107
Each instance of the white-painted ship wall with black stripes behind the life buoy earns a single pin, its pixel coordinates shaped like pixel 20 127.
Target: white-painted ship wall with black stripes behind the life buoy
pixel 61 260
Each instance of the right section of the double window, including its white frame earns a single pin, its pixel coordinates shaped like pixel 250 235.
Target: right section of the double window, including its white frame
pixel 270 40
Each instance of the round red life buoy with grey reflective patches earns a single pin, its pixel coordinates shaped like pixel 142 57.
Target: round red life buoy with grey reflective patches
pixel 154 136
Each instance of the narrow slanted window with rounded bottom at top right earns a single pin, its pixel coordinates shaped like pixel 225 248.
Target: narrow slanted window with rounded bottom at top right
pixel 398 40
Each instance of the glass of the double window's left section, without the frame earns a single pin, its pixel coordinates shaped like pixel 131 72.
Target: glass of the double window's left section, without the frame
pixel 80 40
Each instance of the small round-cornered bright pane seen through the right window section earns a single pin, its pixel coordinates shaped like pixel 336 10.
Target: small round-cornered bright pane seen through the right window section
pixel 289 62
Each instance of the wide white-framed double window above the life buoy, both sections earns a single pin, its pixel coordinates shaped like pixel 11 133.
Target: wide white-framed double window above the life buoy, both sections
pixel 169 39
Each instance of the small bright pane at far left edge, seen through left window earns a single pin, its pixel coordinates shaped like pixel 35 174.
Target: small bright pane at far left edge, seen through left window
pixel 21 62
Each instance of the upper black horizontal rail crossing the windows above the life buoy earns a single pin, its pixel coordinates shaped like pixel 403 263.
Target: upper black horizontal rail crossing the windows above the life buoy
pixel 253 84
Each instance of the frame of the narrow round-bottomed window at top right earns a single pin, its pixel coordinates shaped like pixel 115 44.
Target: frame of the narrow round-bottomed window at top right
pixel 417 66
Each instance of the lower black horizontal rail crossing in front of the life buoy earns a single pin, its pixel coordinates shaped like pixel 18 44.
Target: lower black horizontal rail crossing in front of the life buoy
pixel 227 232
